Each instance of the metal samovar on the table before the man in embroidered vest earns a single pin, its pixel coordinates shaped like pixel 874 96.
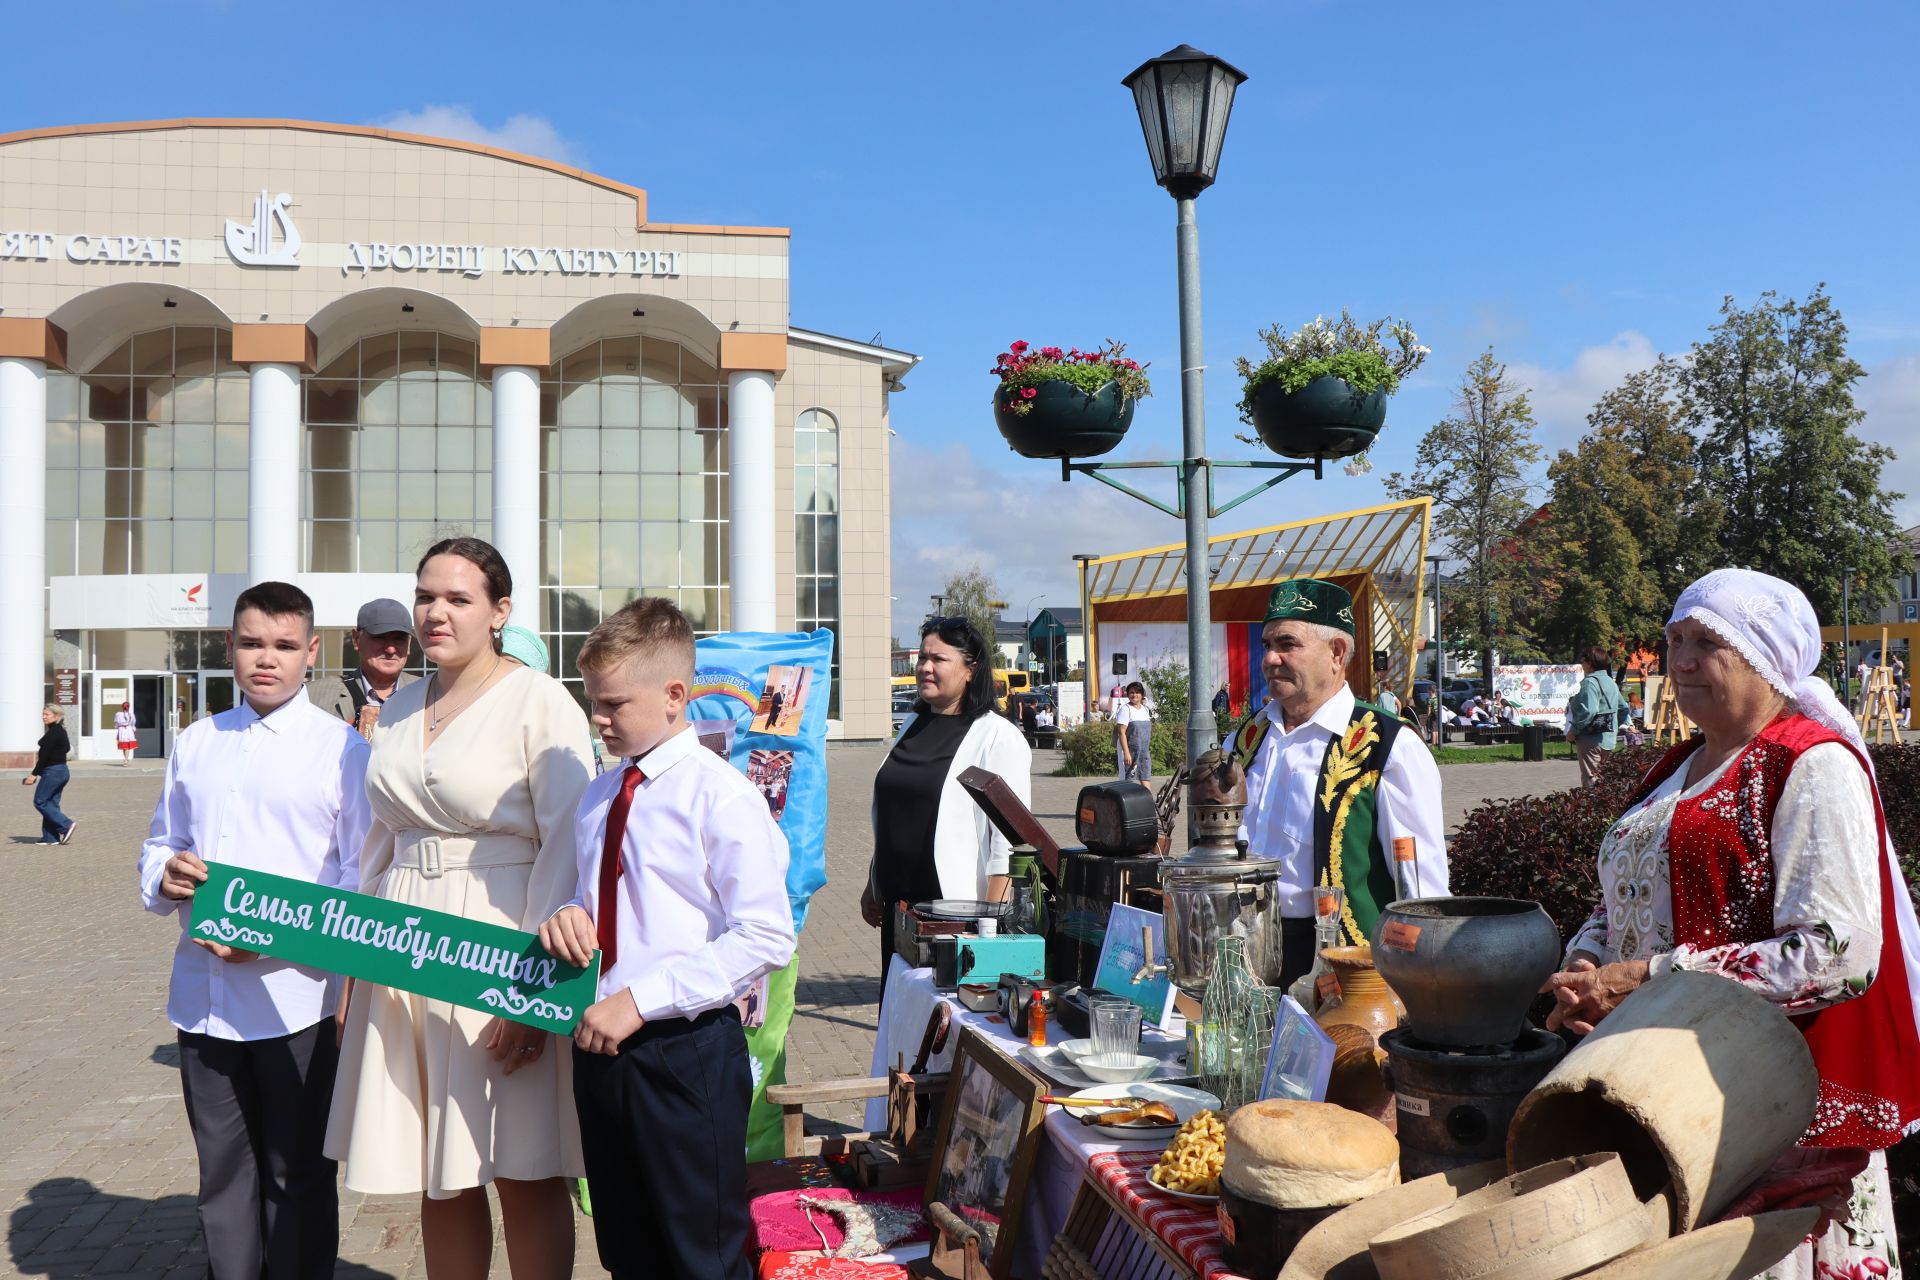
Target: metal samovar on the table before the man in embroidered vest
pixel 1214 891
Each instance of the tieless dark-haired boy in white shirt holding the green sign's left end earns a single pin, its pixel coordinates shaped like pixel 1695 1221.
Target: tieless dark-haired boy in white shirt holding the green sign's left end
pixel 276 786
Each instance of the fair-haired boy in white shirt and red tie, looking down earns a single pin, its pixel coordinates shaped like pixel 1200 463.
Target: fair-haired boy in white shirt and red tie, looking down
pixel 684 891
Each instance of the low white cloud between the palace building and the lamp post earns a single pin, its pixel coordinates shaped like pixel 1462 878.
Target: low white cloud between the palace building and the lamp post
pixel 1015 519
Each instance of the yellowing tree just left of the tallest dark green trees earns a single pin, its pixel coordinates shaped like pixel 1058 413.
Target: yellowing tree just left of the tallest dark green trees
pixel 1627 527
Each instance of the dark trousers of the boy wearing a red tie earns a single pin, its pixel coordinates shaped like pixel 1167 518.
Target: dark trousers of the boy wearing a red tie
pixel 663 1127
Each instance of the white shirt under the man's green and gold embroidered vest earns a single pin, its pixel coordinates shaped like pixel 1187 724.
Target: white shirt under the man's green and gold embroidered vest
pixel 1282 795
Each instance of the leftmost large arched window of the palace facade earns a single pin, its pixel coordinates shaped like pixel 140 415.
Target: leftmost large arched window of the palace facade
pixel 147 460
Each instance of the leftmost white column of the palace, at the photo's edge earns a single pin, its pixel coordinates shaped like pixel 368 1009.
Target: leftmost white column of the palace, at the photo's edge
pixel 22 554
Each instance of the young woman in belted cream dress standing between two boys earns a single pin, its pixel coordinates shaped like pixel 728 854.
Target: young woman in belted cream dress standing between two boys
pixel 473 786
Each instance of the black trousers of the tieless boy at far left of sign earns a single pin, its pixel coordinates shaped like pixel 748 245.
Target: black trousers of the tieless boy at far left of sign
pixel 258 1110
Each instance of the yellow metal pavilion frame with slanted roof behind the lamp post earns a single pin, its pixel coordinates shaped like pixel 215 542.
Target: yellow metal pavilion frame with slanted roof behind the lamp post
pixel 1385 544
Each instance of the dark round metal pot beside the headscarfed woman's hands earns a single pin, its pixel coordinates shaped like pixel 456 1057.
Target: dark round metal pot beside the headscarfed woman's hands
pixel 1466 968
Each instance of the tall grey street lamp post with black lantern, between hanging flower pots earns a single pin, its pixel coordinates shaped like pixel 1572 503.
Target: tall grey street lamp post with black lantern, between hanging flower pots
pixel 1184 99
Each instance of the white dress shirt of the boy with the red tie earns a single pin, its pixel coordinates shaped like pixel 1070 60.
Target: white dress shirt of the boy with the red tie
pixel 702 903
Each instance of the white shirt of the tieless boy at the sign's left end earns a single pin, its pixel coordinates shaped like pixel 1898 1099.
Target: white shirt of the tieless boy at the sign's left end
pixel 283 794
